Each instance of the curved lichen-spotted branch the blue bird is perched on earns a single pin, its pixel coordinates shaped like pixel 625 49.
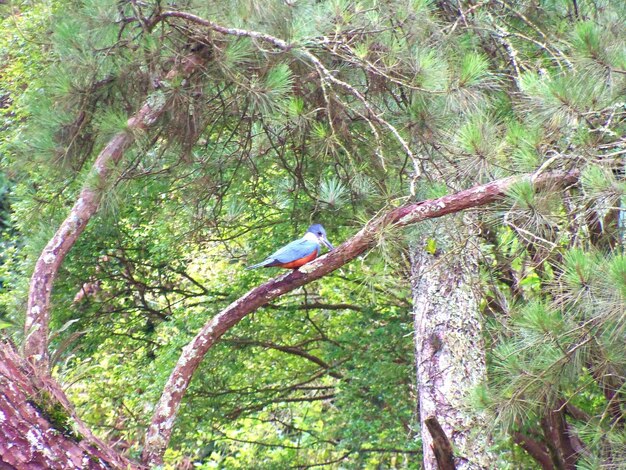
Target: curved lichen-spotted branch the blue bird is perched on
pixel 162 423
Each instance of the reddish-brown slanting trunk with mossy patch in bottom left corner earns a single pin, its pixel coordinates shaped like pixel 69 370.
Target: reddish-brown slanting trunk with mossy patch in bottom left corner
pixel 35 432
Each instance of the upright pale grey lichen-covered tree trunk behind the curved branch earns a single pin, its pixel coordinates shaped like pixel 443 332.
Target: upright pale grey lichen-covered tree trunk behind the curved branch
pixel 449 354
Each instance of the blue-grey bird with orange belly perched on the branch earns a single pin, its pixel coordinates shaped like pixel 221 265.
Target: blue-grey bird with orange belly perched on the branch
pixel 298 252
